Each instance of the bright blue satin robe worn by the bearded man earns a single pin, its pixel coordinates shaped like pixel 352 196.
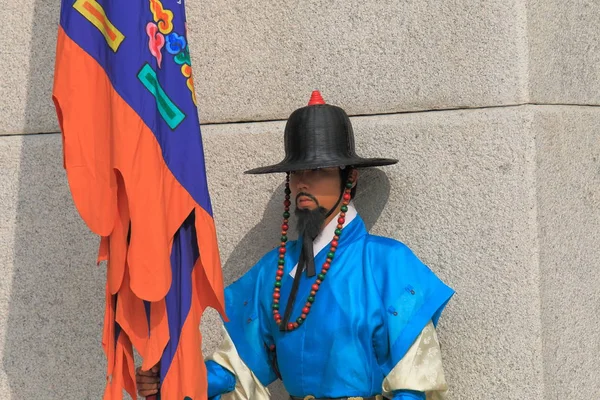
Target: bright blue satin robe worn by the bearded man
pixel 375 301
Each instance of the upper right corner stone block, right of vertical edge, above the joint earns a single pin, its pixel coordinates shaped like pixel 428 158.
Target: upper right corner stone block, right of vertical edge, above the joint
pixel 564 39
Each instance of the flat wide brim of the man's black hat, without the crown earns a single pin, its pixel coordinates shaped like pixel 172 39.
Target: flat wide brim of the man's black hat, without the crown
pixel 286 166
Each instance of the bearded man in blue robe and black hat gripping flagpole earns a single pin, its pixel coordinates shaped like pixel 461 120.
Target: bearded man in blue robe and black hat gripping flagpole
pixel 338 313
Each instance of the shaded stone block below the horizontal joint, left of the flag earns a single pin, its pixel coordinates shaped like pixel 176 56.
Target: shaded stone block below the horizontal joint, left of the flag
pixel 50 290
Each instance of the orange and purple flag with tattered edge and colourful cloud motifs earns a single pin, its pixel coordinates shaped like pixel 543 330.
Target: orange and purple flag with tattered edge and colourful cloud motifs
pixel 133 155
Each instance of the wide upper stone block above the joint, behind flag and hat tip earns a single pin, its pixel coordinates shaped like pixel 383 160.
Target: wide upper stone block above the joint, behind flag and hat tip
pixel 259 59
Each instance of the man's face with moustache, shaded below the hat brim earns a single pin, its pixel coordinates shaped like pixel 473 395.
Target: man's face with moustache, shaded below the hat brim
pixel 323 185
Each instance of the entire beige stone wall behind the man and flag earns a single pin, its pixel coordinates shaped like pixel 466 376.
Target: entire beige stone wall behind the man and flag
pixel 491 107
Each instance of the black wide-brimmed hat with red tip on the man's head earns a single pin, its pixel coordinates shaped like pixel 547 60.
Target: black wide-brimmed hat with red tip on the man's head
pixel 319 136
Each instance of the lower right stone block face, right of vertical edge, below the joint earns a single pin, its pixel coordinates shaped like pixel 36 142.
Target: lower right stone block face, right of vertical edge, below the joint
pixel 568 184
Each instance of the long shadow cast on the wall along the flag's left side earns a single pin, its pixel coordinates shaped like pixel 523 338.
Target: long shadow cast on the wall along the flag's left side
pixel 52 346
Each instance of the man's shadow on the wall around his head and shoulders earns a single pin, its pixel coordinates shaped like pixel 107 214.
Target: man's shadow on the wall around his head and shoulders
pixel 372 195
